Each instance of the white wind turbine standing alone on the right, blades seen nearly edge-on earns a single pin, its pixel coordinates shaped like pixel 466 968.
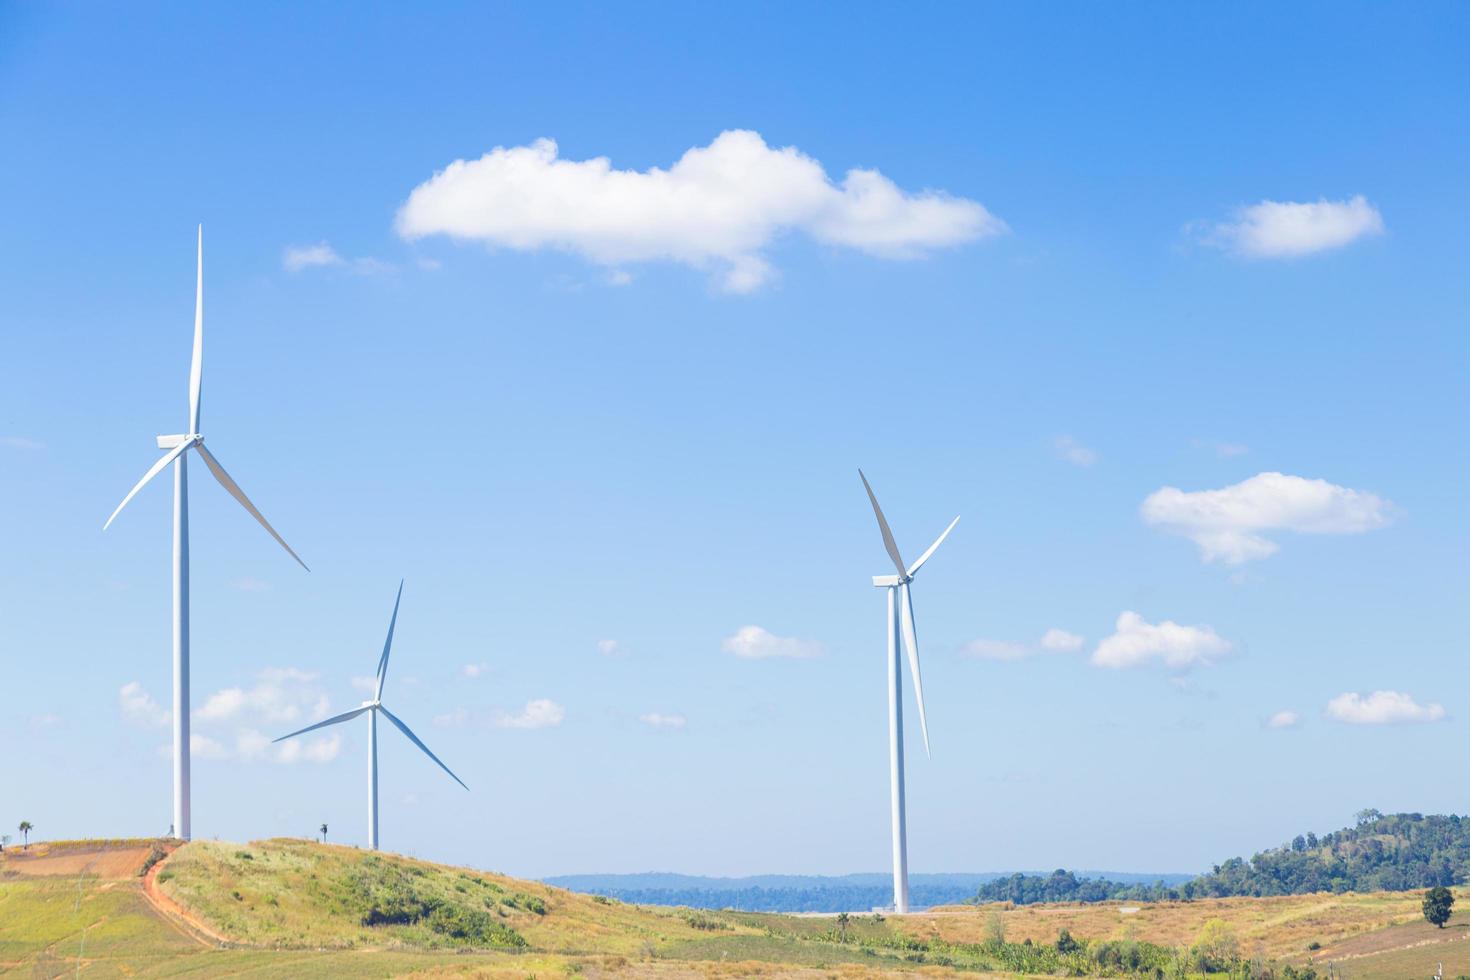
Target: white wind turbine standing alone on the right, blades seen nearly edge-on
pixel 903 616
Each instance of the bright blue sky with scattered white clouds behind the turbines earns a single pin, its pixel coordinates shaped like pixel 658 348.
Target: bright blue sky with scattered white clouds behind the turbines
pixel 583 431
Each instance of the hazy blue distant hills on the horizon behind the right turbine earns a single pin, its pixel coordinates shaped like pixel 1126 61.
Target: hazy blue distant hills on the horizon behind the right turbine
pixel 799 893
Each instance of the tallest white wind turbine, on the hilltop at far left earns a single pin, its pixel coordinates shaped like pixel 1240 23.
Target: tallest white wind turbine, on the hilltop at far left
pixel 179 447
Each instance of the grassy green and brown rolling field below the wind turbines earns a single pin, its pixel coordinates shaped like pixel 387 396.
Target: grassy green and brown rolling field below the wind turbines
pixel 290 909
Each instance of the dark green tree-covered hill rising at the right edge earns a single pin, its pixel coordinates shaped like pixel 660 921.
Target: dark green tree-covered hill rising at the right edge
pixel 1383 853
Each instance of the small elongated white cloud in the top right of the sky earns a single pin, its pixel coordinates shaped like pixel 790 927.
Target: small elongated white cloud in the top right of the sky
pixel 1287 230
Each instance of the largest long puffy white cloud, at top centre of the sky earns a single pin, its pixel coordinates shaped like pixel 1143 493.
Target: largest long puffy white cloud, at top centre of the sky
pixel 718 206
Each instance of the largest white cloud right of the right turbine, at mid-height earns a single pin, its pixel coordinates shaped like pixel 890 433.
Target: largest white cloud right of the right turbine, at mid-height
pixel 1230 524
